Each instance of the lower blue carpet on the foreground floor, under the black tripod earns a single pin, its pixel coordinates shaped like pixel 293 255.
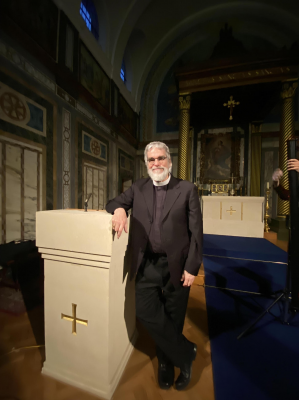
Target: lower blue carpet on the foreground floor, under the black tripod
pixel 262 365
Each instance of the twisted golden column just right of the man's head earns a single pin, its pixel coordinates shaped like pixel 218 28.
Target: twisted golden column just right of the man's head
pixel 184 147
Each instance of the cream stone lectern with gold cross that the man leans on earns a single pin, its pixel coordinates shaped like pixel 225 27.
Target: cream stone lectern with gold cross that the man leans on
pixel 89 299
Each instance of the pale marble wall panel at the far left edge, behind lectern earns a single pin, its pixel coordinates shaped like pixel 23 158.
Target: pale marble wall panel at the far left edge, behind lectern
pixel 21 189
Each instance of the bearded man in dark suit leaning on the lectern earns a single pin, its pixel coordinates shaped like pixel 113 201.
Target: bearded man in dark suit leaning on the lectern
pixel 165 252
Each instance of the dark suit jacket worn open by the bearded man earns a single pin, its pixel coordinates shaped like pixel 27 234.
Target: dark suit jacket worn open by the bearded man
pixel 181 224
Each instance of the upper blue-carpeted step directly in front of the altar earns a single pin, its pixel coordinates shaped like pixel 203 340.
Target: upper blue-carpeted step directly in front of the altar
pixel 242 247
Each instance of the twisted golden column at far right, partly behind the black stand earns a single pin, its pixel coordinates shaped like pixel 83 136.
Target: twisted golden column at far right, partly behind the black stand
pixel 287 131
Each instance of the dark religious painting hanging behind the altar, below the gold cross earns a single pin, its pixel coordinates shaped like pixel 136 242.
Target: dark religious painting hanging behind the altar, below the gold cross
pixel 220 158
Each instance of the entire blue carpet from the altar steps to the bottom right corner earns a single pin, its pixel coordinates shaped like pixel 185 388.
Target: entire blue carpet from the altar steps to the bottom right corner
pixel 264 364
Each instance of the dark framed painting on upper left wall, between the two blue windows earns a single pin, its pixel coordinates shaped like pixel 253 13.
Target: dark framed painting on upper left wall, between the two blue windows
pixel 93 78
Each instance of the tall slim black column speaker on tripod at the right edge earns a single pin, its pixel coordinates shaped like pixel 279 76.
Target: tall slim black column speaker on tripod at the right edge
pixel 294 225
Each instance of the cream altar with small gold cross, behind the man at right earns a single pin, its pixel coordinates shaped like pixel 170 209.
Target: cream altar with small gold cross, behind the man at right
pixel 233 215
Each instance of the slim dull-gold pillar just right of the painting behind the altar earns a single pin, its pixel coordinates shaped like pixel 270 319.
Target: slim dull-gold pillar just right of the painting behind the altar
pixel 256 156
